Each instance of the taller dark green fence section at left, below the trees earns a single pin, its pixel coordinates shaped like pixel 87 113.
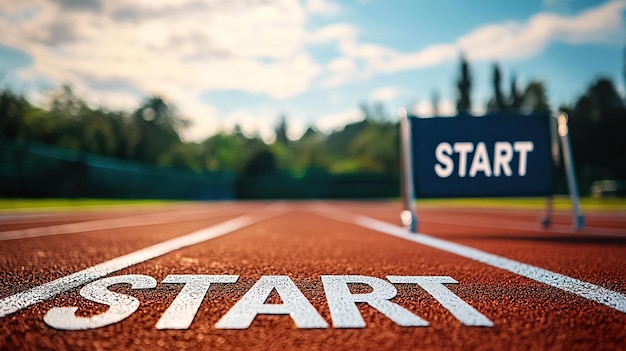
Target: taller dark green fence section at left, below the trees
pixel 29 169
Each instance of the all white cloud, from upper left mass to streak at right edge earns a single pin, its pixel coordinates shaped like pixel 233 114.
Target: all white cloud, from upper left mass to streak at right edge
pixel 116 51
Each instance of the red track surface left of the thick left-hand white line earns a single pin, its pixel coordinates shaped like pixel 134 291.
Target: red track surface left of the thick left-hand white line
pixel 29 262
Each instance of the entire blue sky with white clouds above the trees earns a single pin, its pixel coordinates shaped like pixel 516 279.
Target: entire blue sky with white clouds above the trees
pixel 249 62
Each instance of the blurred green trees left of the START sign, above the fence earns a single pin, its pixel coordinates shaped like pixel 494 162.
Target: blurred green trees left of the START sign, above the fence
pixel 151 134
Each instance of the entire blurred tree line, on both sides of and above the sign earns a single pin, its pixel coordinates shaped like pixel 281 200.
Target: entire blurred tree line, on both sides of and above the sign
pixel 151 133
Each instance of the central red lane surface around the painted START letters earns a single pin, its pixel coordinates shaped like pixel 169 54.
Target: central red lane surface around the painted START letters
pixel 304 246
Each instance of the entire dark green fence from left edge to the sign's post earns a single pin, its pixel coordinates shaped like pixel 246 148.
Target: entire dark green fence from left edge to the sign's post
pixel 30 169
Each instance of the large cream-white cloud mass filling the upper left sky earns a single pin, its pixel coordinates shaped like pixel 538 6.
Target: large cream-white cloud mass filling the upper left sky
pixel 115 52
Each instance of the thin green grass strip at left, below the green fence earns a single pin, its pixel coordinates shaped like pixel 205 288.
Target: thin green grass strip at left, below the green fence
pixel 70 204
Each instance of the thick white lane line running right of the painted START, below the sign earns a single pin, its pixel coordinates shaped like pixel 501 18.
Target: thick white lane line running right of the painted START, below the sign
pixel 581 288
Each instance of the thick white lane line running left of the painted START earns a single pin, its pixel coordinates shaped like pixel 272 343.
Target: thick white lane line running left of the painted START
pixel 46 291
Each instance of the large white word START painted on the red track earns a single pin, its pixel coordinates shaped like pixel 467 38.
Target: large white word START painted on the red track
pixel 341 301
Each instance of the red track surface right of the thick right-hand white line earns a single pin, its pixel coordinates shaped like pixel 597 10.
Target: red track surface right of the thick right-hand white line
pixel 585 256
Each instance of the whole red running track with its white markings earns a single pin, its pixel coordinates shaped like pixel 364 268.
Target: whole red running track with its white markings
pixel 519 287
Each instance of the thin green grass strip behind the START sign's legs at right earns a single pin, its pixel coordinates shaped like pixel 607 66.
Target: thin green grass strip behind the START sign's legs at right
pixel 560 203
